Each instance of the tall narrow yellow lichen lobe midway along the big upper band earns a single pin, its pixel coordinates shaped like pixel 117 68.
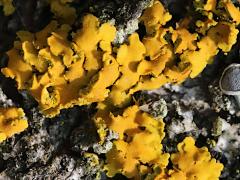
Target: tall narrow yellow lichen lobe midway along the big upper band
pixel 128 57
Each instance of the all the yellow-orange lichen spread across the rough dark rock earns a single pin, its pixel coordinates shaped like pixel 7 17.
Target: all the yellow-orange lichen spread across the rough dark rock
pixel 60 73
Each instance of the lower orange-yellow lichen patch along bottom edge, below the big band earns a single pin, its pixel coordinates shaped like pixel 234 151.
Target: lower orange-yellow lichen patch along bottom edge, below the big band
pixel 138 151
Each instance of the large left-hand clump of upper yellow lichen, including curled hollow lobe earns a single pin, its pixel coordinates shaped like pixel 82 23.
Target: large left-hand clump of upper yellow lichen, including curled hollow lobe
pixel 50 66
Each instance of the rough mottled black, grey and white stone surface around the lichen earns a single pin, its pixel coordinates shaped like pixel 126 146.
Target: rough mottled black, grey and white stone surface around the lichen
pixel 55 148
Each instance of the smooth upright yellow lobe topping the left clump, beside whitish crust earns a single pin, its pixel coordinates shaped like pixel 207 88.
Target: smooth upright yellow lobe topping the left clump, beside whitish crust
pixel 88 38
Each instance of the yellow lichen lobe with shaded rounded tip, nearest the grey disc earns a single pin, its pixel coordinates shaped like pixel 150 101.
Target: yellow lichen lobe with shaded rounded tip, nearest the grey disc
pixel 221 36
